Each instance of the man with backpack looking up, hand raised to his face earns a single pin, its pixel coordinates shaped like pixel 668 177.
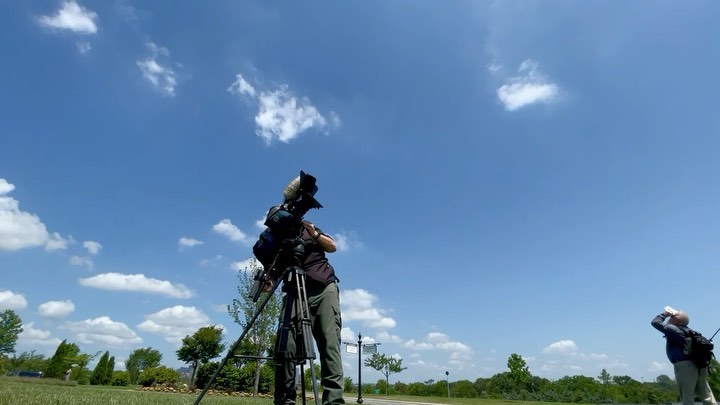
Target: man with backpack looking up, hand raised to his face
pixel 691 380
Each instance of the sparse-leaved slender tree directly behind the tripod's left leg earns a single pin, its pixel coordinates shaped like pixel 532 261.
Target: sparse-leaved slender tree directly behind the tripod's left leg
pixel 261 335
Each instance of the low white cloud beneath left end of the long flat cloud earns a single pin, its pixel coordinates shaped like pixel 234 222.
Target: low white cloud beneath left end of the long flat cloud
pixel 103 331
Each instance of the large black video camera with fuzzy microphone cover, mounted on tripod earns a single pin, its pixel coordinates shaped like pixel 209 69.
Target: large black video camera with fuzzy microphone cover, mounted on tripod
pixel 280 246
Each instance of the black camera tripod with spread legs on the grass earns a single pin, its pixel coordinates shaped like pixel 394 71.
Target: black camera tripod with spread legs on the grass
pixel 296 310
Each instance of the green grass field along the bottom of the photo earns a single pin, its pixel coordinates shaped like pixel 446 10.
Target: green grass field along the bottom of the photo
pixel 33 392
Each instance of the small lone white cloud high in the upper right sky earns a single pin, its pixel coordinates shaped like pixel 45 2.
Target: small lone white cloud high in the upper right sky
pixel 529 88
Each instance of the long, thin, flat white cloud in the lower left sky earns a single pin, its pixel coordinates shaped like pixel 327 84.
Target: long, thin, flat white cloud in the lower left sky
pixel 136 282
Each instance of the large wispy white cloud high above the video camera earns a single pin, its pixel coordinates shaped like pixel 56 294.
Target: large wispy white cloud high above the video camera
pixel 281 115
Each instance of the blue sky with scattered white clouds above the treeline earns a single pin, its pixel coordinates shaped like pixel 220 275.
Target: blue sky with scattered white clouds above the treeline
pixel 502 177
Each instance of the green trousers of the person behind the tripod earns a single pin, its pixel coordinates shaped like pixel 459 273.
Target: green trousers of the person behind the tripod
pixel 324 305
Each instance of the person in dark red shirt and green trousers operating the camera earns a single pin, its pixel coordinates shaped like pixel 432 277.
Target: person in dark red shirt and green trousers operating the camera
pixel 324 305
